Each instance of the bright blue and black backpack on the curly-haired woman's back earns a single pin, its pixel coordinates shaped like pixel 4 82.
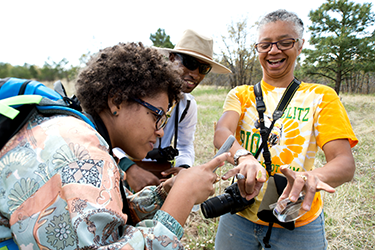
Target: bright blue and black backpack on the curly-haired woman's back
pixel 21 98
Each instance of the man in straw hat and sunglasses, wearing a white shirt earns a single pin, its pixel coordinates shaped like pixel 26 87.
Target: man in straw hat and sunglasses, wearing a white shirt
pixel 194 55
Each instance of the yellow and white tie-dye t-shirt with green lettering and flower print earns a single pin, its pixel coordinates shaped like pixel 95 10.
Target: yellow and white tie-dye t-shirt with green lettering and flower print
pixel 314 117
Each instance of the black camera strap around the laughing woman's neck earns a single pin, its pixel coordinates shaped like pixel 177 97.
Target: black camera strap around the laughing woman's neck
pixel 264 131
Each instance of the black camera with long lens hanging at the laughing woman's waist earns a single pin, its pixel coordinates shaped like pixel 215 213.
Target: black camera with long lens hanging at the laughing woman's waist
pixel 231 201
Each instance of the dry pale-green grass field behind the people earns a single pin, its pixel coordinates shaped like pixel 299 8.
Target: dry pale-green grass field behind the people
pixel 349 212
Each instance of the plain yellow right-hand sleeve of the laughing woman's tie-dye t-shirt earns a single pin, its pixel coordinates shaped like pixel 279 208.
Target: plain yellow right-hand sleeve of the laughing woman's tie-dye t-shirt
pixel 332 121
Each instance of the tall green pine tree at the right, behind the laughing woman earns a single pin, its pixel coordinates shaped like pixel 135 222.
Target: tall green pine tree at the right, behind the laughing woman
pixel 340 34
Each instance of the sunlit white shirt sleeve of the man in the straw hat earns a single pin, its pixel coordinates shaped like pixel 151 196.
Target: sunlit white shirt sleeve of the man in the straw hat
pixel 185 140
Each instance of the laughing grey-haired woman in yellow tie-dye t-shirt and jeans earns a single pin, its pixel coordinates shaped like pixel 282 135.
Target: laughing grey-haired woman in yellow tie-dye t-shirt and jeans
pixel 314 118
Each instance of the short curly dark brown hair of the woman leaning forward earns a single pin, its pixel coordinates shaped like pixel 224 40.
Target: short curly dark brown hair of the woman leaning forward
pixel 126 71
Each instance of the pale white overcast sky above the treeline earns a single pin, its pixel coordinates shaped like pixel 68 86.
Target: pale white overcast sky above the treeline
pixel 36 31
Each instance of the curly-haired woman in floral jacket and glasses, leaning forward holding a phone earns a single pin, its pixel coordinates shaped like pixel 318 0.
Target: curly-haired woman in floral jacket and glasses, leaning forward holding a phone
pixel 69 191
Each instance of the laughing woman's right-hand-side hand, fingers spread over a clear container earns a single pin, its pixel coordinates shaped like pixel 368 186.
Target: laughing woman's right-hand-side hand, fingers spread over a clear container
pixel 303 181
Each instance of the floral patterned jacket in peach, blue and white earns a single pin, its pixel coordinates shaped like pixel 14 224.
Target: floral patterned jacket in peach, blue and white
pixel 60 189
